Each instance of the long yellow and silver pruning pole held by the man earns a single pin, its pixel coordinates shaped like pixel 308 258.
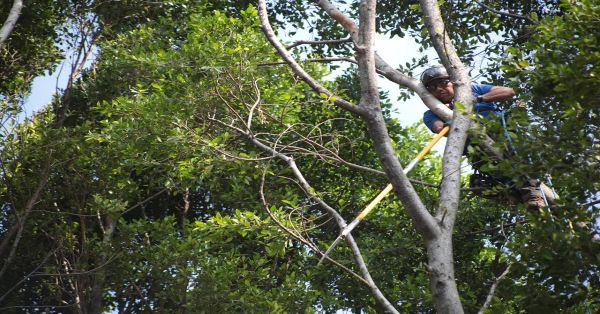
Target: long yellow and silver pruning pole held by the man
pixel 384 193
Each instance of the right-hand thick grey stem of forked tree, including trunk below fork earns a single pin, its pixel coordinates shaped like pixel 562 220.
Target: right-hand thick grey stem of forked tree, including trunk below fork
pixel 440 254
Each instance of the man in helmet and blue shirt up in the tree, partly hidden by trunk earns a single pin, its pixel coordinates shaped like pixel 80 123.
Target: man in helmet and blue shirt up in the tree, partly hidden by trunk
pixel 437 81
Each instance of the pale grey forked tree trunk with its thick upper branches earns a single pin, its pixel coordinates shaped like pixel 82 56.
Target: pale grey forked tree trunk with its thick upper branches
pixel 437 229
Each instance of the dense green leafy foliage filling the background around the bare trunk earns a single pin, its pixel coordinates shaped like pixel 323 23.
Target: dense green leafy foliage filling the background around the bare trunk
pixel 136 190
